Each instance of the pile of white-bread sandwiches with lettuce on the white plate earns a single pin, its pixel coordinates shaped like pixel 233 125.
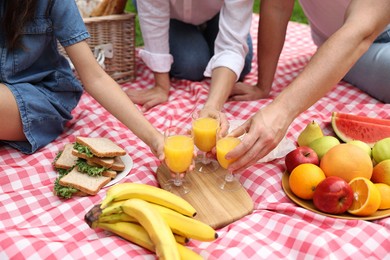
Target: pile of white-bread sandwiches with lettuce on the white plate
pixel 86 166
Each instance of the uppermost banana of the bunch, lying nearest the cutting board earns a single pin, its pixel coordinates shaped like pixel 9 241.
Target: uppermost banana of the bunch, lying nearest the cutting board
pixel 124 191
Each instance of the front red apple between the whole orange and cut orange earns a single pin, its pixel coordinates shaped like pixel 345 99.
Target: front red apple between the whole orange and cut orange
pixel 333 195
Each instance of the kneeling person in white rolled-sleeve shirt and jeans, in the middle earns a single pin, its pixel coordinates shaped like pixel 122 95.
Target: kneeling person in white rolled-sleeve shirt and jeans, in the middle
pixel 191 40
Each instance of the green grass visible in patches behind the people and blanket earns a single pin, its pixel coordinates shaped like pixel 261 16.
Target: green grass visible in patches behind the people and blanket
pixel 297 16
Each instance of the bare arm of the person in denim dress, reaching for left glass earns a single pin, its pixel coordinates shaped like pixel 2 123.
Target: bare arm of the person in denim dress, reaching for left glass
pixel 110 95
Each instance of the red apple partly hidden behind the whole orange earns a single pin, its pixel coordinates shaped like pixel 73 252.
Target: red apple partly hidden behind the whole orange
pixel 301 154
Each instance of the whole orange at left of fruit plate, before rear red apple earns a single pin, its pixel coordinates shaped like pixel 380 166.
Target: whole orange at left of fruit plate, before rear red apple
pixel 304 179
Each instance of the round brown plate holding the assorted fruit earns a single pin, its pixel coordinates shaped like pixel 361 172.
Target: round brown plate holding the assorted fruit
pixel 308 204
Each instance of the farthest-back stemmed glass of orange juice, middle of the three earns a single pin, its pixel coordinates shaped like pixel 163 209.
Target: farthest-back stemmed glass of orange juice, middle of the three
pixel 205 127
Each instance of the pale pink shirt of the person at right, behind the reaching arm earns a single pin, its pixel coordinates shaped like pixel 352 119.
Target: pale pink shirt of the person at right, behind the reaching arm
pixel 325 17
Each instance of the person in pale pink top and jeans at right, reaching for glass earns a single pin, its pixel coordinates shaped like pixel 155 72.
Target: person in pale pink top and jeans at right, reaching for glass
pixel 354 44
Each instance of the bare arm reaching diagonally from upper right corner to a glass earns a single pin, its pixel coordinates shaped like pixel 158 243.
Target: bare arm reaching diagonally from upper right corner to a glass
pixel 364 20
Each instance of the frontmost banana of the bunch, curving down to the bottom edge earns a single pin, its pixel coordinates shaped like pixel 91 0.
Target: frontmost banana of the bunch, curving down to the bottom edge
pixel 155 226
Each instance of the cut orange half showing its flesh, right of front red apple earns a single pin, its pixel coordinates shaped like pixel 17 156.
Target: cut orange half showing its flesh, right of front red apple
pixel 367 197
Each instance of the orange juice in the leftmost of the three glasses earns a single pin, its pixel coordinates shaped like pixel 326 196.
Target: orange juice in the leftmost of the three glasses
pixel 178 151
